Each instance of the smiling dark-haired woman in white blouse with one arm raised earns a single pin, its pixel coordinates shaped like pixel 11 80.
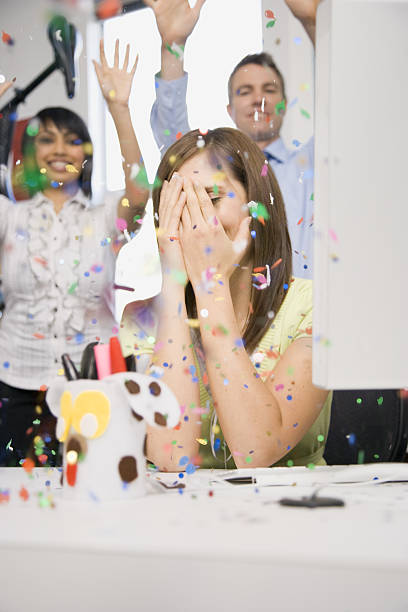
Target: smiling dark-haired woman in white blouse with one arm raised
pixel 58 258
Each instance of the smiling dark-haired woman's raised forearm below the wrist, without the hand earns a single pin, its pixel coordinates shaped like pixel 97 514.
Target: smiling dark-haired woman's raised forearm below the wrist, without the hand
pixel 136 195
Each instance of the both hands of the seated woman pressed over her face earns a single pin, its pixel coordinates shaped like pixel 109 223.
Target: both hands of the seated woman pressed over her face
pixel 191 235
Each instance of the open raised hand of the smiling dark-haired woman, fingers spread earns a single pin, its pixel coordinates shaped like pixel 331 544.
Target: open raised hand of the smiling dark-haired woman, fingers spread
pixel 115 82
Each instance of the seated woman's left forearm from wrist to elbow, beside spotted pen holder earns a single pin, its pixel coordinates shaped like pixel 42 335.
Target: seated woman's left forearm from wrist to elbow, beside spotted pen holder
pixel 174 357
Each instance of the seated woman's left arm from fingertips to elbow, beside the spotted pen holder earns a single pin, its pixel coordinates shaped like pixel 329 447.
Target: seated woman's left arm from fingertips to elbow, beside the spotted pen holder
pixel 173 352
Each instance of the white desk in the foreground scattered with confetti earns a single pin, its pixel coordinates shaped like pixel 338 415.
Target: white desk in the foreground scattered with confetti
pixel 237 550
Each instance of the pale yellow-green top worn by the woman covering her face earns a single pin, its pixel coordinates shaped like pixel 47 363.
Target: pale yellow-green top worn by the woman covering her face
pixel 293 321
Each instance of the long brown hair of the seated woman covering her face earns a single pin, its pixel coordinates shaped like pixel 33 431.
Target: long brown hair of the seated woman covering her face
pixel 239 155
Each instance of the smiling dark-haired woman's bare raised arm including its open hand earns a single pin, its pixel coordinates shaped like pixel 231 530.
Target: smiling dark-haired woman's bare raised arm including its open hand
pixel 116 83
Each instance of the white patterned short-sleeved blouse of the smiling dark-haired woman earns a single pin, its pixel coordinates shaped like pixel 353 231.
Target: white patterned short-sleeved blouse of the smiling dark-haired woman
pixel 58 273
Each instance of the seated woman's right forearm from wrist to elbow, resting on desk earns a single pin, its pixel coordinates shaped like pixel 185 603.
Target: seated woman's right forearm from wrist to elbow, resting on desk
pixel 248 412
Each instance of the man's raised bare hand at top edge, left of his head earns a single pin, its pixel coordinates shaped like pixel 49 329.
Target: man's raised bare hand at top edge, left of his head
pixel 175 19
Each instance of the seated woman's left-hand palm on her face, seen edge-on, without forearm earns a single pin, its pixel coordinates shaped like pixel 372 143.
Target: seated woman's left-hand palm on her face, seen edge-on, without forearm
pixel 172 201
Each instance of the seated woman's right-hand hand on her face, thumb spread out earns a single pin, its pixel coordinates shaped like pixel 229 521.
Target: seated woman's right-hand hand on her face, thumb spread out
pixel 206 248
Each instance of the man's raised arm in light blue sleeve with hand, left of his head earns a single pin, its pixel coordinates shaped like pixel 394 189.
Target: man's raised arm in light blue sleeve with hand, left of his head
pixel 175 22
